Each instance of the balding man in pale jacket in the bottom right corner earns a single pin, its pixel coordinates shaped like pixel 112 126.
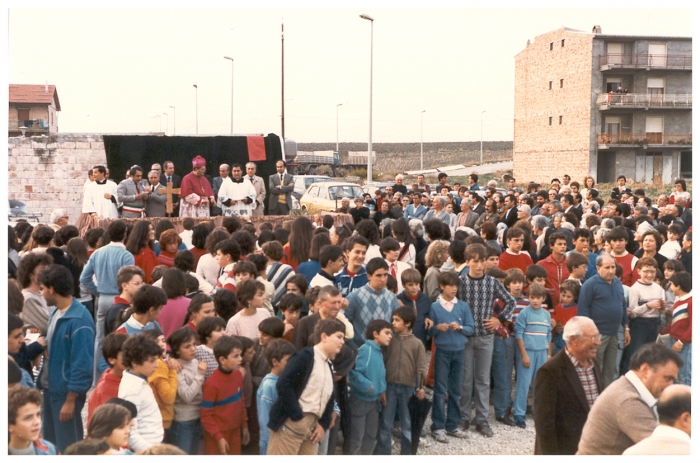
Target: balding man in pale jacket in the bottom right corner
pixel 672 435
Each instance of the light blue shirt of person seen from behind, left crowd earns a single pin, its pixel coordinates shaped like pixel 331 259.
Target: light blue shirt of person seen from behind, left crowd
pixel 104 264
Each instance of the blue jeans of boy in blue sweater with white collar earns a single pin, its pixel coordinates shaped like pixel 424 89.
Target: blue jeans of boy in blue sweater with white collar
pixel 448 380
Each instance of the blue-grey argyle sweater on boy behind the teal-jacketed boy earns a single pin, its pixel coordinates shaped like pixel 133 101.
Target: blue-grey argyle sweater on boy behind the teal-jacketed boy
pixel 365 305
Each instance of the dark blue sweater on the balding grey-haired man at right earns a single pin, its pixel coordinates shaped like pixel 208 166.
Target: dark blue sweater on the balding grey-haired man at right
pixel 604 303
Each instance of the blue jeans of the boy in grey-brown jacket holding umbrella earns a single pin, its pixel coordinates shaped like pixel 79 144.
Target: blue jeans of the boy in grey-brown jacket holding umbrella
pixel 397 396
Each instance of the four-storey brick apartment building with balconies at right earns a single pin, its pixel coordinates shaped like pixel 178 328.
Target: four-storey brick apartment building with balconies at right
pixel 603 105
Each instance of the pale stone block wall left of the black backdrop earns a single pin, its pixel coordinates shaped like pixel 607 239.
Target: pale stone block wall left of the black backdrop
pixel 46 173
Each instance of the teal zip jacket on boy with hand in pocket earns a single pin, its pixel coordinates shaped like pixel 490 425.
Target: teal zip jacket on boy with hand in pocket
pixel 369 373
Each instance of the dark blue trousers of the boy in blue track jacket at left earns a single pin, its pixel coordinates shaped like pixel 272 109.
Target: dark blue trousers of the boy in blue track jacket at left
pixel 61 433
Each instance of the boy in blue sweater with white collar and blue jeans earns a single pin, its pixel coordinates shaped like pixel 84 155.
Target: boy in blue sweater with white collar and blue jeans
pixel 452 323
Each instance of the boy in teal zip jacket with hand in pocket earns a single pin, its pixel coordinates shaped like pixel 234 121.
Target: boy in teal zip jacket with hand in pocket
pixel 367 385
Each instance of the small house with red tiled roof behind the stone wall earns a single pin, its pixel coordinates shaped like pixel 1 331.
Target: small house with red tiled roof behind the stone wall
pixel 34 107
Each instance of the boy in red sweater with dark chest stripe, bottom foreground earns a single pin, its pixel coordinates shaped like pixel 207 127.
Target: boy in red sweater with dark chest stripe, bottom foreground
pixel 224 417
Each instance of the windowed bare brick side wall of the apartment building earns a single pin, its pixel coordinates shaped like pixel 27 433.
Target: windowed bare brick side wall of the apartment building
pixel 541 151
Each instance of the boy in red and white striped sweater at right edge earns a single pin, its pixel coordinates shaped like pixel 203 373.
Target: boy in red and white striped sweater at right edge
pixel 681 329
